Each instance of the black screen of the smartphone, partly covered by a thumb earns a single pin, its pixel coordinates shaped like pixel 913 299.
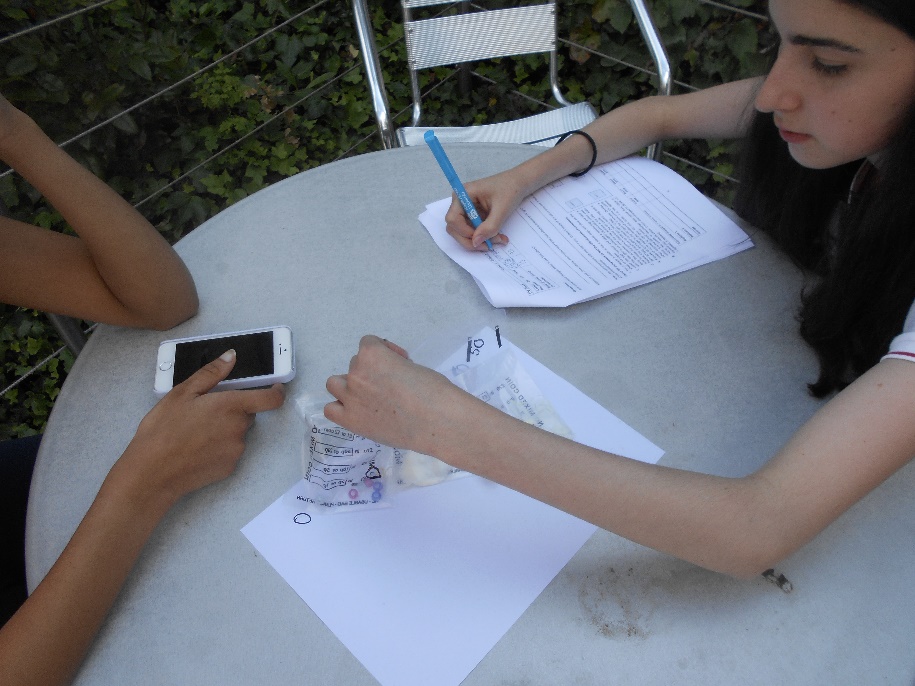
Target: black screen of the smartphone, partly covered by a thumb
pixel 253 355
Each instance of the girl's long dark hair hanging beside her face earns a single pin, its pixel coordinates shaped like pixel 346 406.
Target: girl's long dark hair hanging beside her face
pixel 860 255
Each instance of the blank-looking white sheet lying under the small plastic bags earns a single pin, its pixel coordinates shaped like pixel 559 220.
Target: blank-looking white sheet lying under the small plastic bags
pixel 421 591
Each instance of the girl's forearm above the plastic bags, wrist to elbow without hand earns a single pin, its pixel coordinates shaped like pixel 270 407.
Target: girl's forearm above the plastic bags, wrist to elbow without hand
pixel 711 521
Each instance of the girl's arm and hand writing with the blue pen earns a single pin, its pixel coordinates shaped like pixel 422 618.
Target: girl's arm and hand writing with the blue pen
pixel 720 112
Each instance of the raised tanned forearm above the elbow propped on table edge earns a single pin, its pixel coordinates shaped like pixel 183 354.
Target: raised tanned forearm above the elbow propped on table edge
pixel 149 283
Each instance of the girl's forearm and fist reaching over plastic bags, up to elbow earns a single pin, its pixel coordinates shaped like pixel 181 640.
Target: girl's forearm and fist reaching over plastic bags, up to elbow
pixel 716 522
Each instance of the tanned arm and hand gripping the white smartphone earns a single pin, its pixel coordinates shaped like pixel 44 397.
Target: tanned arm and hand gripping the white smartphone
pixel 190 439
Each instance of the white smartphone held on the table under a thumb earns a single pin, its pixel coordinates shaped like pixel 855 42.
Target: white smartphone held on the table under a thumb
pixel 262 357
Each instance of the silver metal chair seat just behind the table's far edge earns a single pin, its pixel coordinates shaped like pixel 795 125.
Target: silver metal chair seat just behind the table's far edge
pixel 524 130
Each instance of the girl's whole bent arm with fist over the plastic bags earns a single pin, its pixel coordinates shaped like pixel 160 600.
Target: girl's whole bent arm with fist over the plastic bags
pixel 738 526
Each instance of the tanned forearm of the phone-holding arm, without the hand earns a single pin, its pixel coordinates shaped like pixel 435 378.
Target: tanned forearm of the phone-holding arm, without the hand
pixel 46 639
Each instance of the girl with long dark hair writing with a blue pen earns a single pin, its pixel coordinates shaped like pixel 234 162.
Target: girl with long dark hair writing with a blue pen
pixel 826 173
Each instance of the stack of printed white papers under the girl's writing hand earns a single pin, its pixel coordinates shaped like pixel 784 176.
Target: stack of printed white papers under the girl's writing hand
pixel 623 224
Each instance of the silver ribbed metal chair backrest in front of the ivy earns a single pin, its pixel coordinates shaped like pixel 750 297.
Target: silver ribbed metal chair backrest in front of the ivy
pixel 480 35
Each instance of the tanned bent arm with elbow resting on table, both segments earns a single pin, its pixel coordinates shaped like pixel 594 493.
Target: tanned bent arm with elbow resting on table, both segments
pixel 119 270
